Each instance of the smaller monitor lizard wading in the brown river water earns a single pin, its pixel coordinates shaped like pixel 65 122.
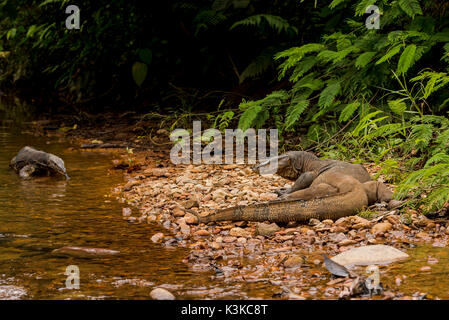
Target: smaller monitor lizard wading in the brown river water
pixel 29 162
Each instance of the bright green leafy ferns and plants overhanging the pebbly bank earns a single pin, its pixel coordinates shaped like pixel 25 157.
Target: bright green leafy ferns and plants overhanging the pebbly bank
pixel 390 87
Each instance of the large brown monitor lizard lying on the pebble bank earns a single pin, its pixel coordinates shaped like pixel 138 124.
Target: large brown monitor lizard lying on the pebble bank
pixel 333 190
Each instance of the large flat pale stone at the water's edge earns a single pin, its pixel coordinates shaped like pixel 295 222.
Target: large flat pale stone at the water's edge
pixel 366 255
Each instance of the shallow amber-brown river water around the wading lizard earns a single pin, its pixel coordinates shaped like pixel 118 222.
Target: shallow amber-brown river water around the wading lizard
pixel 39 215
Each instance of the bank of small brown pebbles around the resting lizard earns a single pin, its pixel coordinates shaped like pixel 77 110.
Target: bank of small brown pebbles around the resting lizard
pixel 289 256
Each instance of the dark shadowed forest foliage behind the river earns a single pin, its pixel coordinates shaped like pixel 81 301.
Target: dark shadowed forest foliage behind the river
pixel 147 52
